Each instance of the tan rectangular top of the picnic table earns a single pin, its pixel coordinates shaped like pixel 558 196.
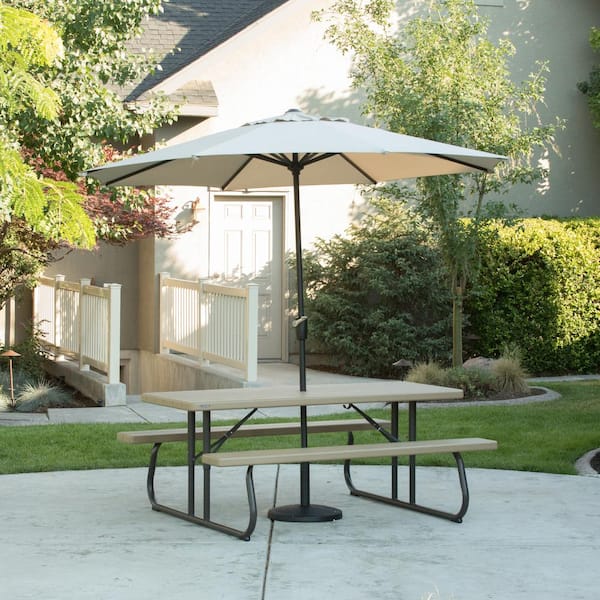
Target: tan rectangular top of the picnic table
pixel 322 394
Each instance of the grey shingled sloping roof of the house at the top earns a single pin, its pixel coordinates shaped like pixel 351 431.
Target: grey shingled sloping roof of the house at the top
pixel 188 29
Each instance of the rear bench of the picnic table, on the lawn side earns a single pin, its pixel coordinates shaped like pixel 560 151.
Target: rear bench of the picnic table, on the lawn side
pixel 222 433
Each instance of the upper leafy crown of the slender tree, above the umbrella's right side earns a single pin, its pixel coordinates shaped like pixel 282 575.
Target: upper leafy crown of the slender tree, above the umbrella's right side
pixel 440 77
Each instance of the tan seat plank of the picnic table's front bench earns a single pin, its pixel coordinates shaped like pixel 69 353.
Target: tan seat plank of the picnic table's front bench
pixel 326 453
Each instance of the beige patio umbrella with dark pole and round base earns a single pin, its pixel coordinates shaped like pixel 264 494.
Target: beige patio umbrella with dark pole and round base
pixel 288 151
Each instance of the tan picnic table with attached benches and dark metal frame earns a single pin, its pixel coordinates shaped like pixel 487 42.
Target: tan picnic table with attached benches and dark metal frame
pixel 389 393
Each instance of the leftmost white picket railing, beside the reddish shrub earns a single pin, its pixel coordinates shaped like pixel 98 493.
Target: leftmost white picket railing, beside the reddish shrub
pixel 81 321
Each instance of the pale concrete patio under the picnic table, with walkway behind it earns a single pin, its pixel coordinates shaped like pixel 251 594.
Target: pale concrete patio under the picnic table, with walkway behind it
pixel 92 534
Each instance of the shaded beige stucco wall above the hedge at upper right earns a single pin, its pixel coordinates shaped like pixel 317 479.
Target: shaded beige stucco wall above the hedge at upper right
pixel 557 32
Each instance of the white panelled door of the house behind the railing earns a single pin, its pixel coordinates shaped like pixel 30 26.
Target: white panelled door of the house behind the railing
pixel 247 247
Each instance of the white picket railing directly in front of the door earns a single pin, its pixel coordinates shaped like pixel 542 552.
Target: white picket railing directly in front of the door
pixel 210 322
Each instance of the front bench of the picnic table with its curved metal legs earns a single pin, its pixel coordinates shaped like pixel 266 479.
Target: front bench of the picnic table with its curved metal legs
pixel 250 458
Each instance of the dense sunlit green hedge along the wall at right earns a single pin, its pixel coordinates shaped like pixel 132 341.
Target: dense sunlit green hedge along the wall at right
pixel 539 288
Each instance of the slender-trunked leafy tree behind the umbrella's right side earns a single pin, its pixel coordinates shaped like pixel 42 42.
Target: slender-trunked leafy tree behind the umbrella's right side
pixel 439 77
